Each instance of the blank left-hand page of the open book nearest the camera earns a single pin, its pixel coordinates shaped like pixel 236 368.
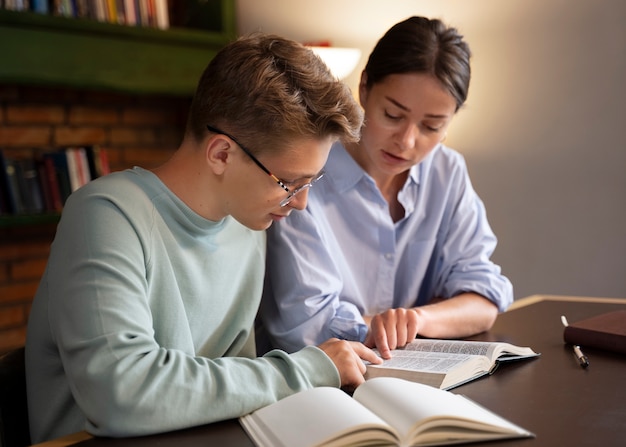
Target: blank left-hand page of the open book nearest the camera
pixel 314 417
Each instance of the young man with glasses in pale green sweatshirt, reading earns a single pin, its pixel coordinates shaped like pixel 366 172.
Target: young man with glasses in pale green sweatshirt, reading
pixel 143 321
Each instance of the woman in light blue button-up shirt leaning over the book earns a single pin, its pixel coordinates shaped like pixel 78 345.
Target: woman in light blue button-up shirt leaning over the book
pixel 394 242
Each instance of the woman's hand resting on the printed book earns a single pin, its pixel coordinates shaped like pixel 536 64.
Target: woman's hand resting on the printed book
pixel 392 329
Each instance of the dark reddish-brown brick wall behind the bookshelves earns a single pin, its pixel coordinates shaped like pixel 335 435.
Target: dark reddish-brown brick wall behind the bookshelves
pixel 135 130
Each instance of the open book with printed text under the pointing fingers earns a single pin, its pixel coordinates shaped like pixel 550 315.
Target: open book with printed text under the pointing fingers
pixel 447 363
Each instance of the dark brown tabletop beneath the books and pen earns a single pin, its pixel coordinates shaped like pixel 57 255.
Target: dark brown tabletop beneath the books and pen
pixel 552 396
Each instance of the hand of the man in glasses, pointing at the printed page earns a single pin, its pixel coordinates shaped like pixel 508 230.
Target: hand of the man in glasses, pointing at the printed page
pixel 348 357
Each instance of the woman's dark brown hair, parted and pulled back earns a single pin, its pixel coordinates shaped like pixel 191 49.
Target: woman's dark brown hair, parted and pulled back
pixel 422 45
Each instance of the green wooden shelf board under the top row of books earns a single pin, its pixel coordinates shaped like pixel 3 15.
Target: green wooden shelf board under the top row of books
pixel 52 51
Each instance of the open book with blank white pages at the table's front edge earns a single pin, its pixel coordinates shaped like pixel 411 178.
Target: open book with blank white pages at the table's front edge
pixel 383 411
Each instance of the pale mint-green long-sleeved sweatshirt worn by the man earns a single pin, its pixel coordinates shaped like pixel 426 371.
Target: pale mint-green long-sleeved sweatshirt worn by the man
pixel 143 321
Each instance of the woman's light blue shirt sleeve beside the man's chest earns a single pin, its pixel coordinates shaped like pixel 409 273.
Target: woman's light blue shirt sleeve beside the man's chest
pixel 301 303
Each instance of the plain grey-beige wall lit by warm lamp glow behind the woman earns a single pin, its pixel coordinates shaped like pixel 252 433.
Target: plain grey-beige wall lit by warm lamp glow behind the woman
pixel 542 130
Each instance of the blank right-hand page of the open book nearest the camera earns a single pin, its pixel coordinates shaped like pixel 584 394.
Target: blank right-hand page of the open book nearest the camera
pixel 437 415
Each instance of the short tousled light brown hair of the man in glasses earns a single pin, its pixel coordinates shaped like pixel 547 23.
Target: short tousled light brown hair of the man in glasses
pixel 266 90
